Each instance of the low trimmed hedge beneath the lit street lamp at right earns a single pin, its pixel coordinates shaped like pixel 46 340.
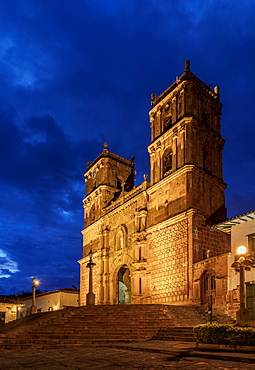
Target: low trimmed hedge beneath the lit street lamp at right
pixel 224 334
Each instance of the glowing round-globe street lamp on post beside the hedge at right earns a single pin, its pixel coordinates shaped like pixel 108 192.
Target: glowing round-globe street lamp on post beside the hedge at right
pixel 242 264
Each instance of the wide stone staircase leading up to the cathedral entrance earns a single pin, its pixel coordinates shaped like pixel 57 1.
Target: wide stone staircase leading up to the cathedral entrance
pixel 82 326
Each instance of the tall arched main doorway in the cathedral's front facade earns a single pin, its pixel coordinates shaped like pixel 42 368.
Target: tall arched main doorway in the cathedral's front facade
pixel 124 285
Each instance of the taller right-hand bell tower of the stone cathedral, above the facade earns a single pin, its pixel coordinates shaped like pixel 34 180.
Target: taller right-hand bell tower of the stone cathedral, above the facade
pixel 186 145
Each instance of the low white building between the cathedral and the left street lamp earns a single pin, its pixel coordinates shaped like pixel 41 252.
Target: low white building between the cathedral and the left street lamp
pixel 52 301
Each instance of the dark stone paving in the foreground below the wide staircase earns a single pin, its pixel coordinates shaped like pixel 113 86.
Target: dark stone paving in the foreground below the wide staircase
pixel 147 355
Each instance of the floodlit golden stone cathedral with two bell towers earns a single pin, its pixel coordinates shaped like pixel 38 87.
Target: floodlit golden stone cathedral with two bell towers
pixel 148 241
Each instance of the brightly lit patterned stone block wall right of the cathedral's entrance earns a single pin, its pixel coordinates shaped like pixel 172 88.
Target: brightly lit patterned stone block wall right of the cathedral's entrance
pixel 168 263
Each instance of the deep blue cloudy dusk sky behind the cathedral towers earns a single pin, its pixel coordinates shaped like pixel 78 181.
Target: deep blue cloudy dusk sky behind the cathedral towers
pixel 75 74
